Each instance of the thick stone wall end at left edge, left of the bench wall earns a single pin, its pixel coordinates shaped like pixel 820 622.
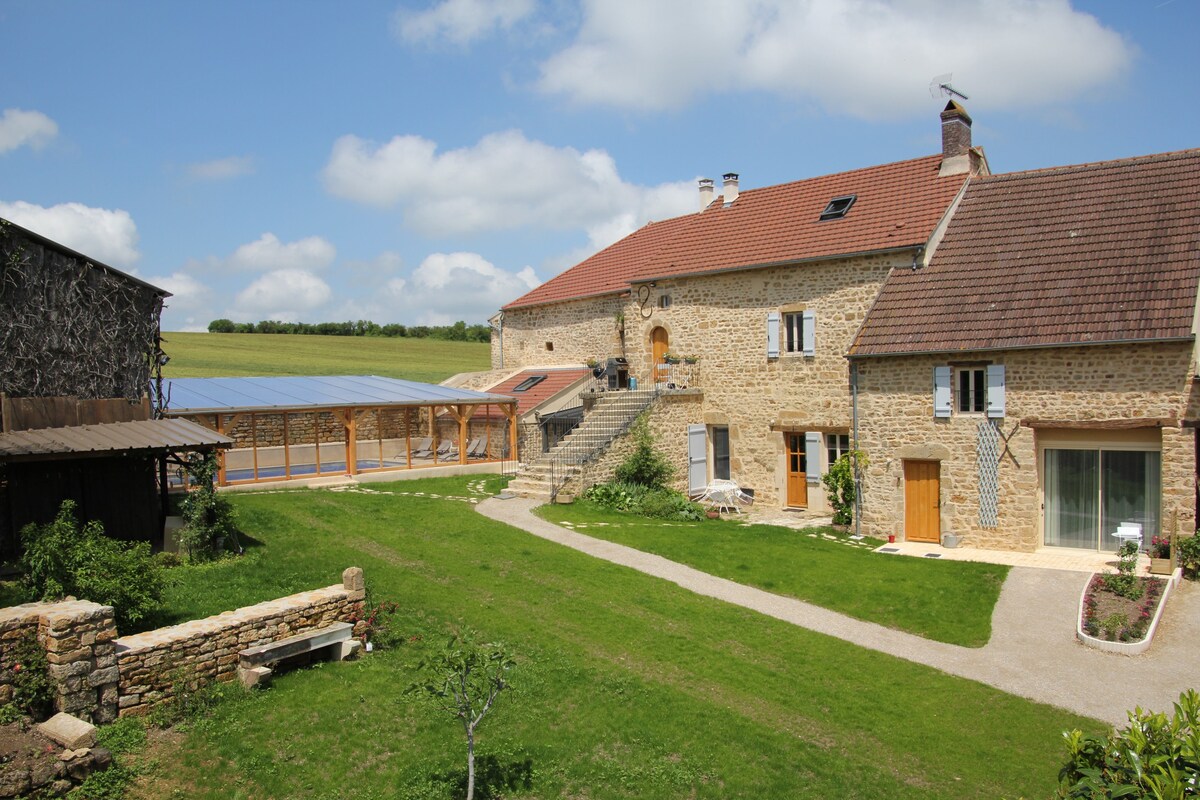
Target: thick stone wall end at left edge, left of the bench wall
pixel 79 637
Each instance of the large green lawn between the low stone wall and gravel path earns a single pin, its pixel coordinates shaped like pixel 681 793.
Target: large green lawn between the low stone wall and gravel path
pixel 627 687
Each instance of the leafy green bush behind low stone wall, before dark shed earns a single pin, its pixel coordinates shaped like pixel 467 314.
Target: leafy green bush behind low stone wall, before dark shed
pixel 64 558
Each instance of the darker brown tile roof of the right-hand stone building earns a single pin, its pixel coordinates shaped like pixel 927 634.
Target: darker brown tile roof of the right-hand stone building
pixel 1081 255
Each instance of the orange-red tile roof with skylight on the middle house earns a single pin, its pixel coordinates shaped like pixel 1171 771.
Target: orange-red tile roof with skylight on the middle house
pixel 898 206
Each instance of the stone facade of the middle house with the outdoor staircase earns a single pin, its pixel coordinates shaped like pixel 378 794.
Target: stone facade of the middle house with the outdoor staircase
pixel 723 320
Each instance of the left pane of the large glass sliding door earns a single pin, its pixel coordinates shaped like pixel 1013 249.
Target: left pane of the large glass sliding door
pixel 1072 490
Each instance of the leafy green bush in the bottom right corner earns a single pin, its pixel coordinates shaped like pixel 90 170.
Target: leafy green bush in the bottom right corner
pixel 1157 756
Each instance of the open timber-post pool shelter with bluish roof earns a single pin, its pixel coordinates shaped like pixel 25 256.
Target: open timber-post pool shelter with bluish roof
pixel 344 425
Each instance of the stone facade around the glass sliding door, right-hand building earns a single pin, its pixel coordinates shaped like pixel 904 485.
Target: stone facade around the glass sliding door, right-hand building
pixel 1073 394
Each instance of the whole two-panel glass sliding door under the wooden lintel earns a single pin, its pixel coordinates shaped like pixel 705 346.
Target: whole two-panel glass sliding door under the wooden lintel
pixel 1090 494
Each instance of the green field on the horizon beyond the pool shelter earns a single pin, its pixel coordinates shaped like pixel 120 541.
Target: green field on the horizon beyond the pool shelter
pixel 227 356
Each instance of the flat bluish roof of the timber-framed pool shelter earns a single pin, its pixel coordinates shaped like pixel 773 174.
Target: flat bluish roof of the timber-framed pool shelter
pixel 231 395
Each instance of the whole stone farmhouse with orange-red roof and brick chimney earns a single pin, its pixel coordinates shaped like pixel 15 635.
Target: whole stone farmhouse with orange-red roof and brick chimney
pixel 767 290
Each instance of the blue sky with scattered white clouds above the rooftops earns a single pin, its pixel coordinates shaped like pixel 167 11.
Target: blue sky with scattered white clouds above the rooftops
pixel 427 163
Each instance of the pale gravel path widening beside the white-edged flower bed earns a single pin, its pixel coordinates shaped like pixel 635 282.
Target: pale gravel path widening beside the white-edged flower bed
pixel 1033 652
